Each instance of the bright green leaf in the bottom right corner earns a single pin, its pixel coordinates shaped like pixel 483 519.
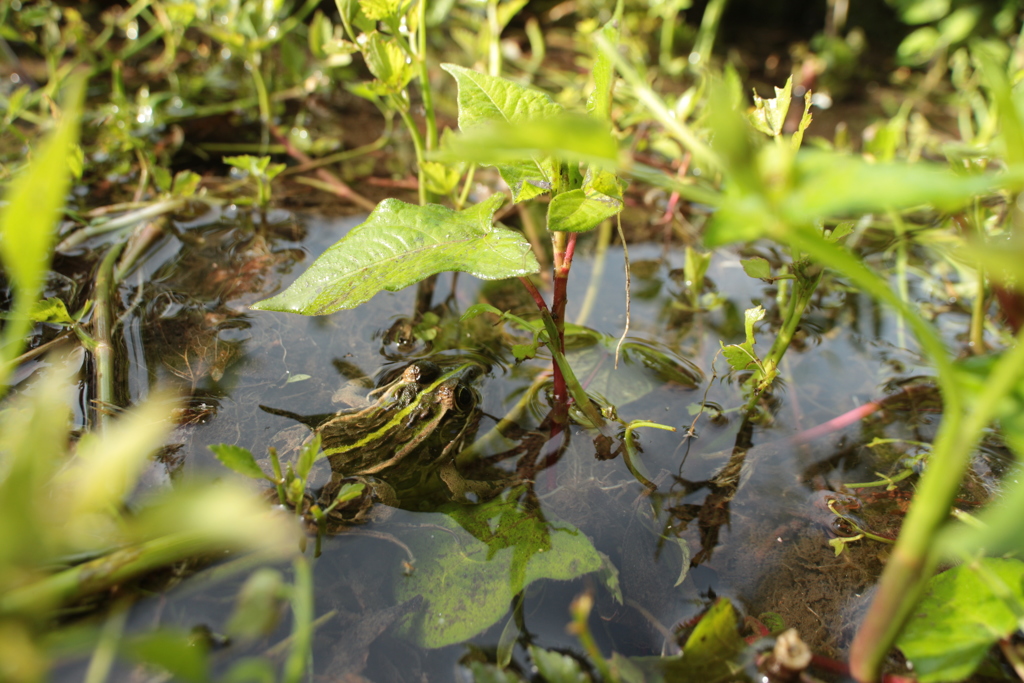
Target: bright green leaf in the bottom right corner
pixel 961 618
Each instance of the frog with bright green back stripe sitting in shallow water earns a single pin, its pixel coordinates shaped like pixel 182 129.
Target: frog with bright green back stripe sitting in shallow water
pixel 403 445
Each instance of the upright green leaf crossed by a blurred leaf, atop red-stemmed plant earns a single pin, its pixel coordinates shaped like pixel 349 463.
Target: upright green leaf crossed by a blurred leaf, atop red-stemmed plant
pixel 488 100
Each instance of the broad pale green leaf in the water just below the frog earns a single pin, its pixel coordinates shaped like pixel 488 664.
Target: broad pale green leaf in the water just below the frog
pixel 481 557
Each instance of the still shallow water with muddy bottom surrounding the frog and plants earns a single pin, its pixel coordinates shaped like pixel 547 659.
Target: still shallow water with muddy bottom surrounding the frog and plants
pixel 764 542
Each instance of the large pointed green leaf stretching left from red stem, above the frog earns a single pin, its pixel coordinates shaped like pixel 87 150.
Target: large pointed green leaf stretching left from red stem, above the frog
pixel 401 244
